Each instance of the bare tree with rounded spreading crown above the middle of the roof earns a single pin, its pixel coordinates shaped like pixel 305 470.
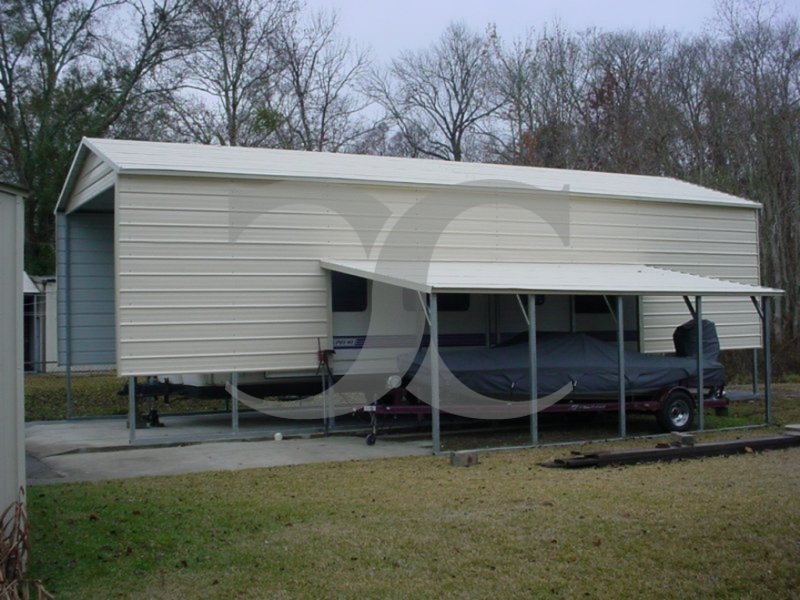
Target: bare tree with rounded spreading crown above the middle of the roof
pixel 437 98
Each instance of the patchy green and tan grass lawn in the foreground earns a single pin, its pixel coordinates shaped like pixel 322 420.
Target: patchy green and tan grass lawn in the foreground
pixel 418 528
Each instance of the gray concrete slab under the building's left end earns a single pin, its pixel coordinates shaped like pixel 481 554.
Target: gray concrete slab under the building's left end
pixel 98 449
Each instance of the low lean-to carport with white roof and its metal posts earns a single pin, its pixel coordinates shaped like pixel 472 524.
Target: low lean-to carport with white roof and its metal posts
pixel 531 279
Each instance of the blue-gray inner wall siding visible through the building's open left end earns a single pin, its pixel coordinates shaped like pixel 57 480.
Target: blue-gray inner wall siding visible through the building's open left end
pixel 89 282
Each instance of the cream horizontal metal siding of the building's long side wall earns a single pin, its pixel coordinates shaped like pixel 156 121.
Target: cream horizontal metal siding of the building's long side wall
pixel 193 300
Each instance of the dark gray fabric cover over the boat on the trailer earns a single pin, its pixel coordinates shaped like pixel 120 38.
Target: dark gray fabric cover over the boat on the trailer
pixel 563 358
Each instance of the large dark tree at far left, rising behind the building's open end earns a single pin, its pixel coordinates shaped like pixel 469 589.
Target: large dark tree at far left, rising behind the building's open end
pixel 63 76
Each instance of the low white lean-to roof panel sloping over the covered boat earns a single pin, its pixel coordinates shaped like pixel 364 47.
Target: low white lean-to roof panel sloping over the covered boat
pixel 533 278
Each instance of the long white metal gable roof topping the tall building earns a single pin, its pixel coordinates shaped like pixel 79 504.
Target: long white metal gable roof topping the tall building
pixel 201 160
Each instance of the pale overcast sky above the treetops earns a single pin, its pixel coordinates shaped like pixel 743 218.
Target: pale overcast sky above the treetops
pixel 389 26
